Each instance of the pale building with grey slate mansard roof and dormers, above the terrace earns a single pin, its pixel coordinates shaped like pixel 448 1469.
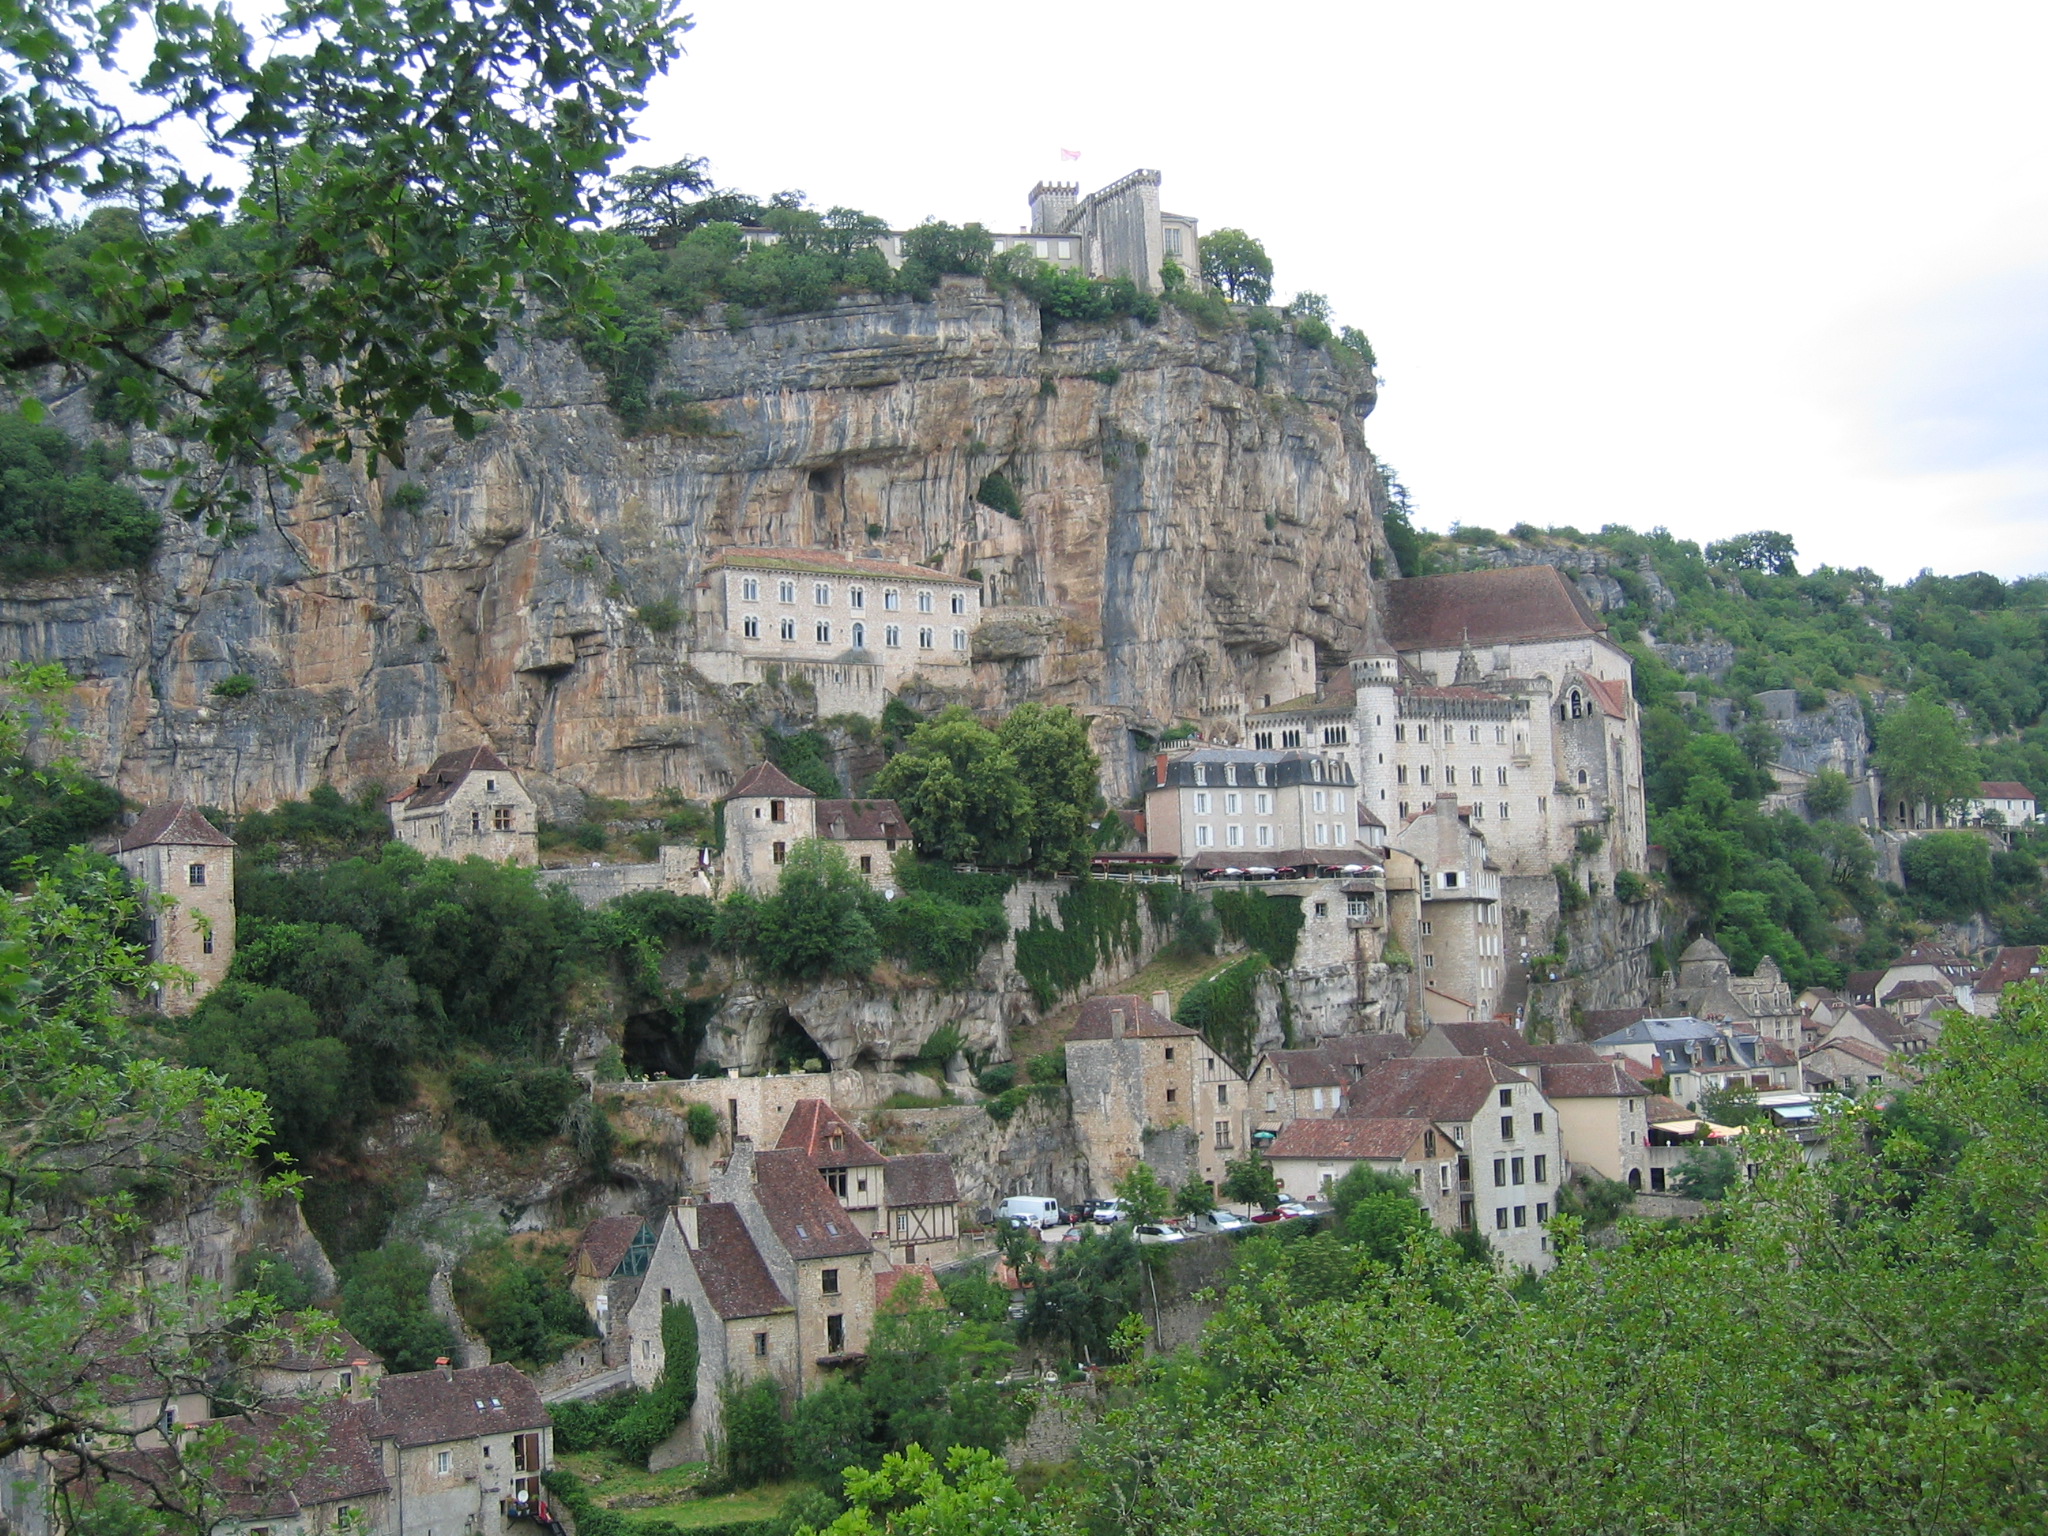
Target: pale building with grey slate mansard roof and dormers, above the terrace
pixel 1252 806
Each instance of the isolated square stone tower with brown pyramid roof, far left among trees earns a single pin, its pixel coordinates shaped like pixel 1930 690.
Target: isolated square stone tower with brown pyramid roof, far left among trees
pixel 175 853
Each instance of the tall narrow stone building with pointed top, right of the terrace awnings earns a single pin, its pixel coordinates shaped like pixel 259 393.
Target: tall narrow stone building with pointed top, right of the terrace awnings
pixel 1459 937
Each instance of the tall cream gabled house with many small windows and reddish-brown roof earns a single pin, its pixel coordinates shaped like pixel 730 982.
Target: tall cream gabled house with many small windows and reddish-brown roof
pixel 1504 1129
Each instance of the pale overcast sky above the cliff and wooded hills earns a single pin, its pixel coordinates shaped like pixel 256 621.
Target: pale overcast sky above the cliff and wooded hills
pixel 1717 269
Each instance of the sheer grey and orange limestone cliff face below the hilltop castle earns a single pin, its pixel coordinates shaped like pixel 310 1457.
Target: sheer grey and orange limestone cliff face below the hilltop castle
pixel 1193 509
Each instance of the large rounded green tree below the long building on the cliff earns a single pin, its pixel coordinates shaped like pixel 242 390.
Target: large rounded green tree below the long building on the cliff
pixel 962 792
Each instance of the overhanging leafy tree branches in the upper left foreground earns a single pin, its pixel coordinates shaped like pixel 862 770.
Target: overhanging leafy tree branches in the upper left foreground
pixel 407 177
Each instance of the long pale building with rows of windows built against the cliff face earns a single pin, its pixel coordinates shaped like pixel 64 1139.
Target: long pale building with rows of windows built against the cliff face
pixel 855 630
